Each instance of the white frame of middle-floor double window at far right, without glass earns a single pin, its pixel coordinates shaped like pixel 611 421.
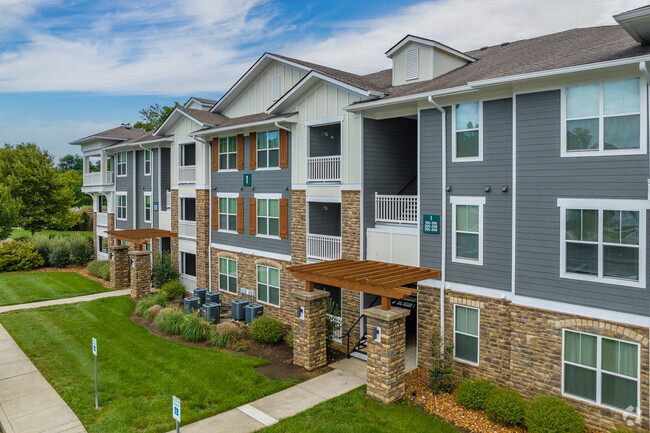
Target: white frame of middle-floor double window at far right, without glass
pixel 600 205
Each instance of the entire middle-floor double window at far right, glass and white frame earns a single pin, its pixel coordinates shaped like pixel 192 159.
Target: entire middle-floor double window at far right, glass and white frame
pixel 603 240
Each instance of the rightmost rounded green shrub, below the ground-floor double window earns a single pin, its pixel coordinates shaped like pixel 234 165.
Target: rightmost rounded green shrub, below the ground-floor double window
pixel 548 414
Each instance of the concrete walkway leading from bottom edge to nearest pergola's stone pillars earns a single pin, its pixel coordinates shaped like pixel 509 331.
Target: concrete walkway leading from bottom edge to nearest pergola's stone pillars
pixel 346 376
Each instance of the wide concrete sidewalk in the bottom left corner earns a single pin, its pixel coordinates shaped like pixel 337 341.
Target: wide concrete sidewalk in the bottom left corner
pixel 28 403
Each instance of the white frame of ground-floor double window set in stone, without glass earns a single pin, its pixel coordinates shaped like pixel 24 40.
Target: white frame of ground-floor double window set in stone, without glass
pixel 599 371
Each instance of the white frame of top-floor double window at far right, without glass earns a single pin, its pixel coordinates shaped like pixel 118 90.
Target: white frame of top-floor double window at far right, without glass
pixel 643 124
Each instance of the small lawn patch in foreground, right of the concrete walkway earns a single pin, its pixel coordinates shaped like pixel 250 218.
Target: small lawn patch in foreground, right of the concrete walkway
pixel 355 413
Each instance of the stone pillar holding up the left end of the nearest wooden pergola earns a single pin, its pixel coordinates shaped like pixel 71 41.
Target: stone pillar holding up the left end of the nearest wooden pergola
pixel 309 339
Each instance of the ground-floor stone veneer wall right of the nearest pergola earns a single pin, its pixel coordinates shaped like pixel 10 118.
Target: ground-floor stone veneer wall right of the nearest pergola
pixel 521 348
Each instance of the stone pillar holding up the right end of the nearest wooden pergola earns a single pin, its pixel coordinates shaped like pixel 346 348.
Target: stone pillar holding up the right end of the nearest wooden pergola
pixel 387 357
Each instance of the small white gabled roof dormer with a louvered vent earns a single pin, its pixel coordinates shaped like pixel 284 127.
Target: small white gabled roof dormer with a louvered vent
pixel 418 59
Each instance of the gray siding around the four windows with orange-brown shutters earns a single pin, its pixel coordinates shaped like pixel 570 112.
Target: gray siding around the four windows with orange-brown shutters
pixel 264 181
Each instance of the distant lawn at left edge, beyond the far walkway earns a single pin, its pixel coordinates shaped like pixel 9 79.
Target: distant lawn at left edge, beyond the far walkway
pixel 19 288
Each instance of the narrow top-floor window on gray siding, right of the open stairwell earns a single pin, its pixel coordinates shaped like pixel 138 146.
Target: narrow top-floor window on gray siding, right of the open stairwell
pixel 467 138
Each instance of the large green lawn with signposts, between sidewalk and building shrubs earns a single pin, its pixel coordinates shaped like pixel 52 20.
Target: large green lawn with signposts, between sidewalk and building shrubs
pixel 138 372
